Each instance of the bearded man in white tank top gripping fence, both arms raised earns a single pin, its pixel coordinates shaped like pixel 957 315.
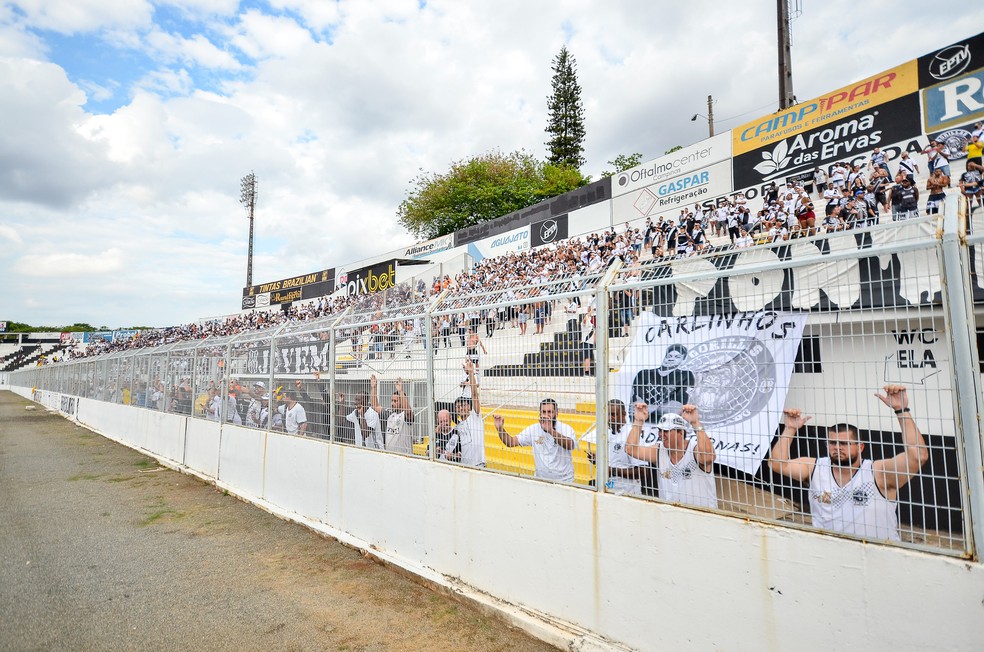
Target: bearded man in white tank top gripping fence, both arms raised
pixel 847 493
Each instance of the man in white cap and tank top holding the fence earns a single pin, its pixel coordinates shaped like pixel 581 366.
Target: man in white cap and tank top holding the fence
pixel 683 458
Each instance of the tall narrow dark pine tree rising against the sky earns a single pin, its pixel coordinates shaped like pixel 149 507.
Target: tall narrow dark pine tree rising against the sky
pixel 565 122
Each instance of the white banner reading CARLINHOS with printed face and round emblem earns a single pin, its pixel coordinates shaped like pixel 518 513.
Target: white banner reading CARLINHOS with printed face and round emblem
pixel 734 368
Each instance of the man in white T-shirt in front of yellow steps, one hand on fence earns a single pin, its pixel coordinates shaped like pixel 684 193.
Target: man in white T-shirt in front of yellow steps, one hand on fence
pixel 552 443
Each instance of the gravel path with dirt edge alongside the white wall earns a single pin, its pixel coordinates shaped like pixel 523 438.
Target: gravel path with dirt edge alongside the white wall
pixel 102 549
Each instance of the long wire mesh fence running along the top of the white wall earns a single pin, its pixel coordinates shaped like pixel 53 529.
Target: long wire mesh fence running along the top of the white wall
pixel 807 382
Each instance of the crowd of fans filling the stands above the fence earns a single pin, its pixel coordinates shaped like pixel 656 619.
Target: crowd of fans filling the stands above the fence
pixel 839 197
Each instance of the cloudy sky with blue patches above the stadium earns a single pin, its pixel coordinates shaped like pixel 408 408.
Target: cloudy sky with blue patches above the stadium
pixel 126 125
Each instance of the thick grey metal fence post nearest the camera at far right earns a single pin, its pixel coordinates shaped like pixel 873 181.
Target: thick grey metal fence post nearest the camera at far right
pixel 959 315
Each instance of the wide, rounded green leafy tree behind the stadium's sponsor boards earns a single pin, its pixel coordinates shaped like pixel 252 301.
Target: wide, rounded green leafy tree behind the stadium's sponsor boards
pixel 479 189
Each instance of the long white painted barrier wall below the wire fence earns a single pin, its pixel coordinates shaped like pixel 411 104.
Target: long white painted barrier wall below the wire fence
pixel 647 575
